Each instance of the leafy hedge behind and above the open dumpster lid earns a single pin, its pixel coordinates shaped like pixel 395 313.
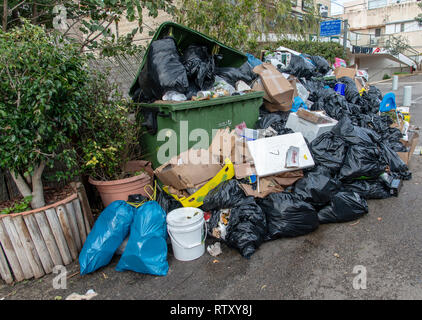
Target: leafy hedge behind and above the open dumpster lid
pixel 241 23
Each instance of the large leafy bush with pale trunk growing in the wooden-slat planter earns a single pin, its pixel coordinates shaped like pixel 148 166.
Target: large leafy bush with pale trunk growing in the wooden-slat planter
pixel 42 86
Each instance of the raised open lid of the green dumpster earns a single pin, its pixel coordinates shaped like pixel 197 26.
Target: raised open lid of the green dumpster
pixel 184 37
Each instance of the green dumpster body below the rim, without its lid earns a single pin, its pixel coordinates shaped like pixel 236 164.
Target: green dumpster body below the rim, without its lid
pixel 179 120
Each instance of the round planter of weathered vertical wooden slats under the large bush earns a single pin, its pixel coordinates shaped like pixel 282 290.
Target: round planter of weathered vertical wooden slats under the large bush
pixel 33 242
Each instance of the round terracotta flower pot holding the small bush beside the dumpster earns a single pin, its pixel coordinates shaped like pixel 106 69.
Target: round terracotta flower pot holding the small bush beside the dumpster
pixel 121 189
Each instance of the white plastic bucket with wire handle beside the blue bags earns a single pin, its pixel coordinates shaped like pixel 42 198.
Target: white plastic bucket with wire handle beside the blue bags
pixel 187 230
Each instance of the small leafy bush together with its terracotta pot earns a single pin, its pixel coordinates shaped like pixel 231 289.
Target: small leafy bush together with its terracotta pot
pixel 109 145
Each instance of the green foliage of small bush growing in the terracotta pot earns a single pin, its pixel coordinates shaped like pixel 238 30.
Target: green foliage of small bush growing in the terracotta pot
pixel 108 138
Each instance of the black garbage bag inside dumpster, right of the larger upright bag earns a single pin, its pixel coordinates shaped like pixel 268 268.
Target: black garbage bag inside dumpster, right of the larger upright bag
pixel 200 66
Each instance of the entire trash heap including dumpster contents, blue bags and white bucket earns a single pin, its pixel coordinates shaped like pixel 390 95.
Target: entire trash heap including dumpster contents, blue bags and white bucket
pixel 325 142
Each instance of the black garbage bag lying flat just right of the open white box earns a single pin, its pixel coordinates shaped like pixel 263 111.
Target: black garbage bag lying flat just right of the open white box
pixel 354 134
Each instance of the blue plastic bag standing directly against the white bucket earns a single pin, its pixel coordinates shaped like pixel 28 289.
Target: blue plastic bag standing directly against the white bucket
pixel 146 250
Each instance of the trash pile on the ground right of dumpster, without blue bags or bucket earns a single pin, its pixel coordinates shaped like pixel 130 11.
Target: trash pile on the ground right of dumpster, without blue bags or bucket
pixel 320 149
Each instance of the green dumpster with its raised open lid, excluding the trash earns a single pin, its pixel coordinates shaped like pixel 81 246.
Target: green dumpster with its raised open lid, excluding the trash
pixel 172 127
